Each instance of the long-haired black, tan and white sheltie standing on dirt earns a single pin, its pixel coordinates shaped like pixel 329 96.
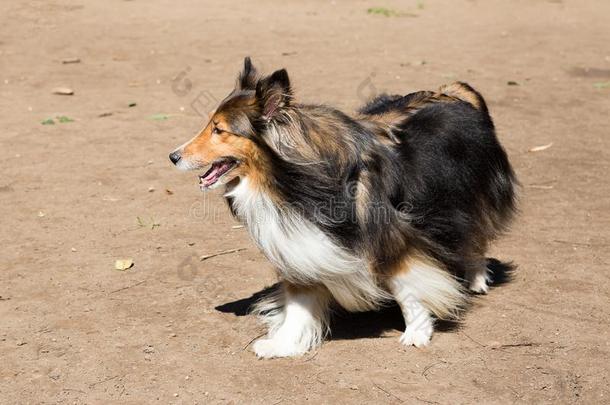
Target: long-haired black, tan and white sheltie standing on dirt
pixel 397 203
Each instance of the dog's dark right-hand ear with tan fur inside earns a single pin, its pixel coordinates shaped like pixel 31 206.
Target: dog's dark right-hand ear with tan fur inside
pixel 273 93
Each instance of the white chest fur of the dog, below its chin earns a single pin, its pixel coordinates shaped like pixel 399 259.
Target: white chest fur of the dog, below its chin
pixel 304 254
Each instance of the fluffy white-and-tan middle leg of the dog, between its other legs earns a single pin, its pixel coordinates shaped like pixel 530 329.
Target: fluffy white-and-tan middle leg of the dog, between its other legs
pixel 423 288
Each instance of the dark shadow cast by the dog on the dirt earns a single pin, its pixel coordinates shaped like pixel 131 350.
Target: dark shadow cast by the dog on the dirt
pixel 350 325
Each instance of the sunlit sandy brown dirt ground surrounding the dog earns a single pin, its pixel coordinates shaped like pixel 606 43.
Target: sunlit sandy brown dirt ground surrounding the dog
pixel 76 196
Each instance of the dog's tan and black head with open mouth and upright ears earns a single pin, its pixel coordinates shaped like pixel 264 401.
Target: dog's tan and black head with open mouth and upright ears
pixel 230 145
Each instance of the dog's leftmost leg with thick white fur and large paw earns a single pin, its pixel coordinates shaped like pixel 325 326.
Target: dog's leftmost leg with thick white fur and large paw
pixel 299 326
